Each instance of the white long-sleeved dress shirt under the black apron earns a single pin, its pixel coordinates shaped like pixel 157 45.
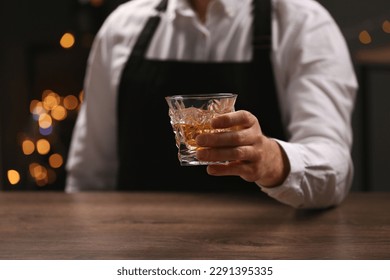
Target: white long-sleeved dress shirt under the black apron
pixel 314 74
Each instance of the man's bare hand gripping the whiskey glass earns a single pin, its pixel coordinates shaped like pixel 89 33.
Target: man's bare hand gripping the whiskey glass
pixel 252 156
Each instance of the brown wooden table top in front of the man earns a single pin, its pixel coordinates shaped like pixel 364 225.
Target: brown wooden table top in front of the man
pixel 54 225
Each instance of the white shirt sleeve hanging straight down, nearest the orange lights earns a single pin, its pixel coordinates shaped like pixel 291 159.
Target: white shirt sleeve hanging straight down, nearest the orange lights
pixel 92 160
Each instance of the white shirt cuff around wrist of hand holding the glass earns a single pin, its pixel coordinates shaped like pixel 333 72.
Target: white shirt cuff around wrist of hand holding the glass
pixel 290 192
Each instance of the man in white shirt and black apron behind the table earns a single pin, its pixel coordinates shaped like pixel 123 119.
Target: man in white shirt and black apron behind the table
pixel 286 59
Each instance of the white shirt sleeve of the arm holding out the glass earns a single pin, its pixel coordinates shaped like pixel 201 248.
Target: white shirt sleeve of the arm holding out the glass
pixel 317 88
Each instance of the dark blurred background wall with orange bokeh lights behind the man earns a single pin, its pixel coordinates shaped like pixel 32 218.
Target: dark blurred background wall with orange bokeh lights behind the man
pixel 44 47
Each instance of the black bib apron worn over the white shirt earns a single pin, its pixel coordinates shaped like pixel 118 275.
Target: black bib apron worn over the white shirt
pixel 146 145
